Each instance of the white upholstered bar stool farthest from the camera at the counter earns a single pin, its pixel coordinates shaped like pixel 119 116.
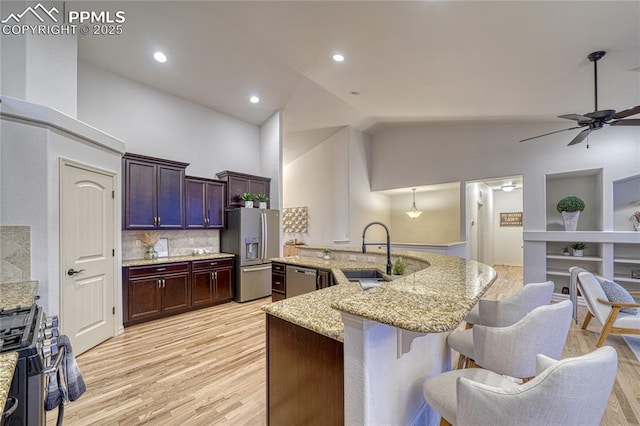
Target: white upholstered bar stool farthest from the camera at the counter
pixel 508 311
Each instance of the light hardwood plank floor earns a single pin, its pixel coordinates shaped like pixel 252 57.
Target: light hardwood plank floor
pixel 207 367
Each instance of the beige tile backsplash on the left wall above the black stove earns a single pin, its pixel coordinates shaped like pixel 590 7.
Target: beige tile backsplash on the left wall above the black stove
pixel 15 253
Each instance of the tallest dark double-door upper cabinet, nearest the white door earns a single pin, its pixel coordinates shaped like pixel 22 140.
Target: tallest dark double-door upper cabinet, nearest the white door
pixel 153 191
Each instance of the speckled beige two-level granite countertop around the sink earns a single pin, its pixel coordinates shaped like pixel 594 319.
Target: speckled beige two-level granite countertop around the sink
pixel 433 299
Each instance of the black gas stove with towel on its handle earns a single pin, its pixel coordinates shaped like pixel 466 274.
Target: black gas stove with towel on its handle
pixel 29 332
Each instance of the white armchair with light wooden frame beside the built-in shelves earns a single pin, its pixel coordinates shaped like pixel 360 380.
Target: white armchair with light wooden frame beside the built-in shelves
pixel 607 313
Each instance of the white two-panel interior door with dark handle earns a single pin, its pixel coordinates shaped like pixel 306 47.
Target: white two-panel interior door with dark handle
pixel 87 219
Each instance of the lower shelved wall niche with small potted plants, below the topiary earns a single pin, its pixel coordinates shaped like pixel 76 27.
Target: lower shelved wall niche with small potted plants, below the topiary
pixel 558 264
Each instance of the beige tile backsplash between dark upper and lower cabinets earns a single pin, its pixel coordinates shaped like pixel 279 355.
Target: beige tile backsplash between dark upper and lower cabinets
pixel 180 243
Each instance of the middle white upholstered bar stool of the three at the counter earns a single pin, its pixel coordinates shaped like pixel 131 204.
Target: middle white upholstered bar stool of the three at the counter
pixel 512 350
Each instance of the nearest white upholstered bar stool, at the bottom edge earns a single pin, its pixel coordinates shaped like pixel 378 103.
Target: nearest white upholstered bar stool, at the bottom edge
pixel 573 391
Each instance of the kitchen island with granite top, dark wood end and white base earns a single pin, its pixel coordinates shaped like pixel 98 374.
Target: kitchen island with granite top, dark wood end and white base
pixel 383 342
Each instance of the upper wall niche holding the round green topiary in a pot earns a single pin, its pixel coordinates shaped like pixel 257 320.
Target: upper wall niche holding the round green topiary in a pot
pixel 585 184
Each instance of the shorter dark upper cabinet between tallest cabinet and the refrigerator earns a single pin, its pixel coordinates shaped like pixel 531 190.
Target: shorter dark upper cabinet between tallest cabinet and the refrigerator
pixel 205 201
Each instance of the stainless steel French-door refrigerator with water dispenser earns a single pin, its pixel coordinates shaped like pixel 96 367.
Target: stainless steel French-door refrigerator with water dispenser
pixel 253 235
